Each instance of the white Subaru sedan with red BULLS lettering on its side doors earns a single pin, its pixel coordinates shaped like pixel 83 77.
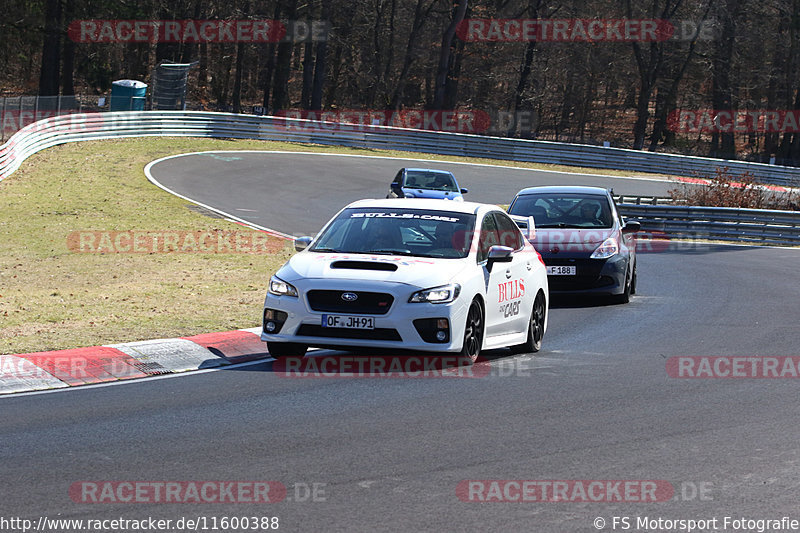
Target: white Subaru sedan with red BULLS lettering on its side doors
pixel 416 274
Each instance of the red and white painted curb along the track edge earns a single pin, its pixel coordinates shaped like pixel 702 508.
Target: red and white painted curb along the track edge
pixel 101 364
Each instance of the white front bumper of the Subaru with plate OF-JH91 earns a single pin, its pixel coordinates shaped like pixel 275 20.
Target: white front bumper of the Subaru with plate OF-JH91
pixel 403 326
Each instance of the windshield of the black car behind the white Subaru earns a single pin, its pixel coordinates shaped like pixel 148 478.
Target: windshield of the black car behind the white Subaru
pixel 558 210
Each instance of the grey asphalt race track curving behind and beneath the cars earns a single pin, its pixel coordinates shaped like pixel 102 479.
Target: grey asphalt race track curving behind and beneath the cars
pixel 597 403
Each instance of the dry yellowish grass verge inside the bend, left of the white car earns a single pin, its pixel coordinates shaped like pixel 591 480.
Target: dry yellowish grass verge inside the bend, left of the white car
pixel 53 298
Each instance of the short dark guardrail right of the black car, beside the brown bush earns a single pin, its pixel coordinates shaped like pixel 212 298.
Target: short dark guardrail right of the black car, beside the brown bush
pixel 717 223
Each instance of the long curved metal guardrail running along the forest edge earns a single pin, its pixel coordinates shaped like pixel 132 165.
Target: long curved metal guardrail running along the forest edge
pixel 70 128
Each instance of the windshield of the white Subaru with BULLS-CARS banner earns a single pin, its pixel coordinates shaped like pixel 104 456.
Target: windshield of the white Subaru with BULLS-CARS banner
pixel 398 231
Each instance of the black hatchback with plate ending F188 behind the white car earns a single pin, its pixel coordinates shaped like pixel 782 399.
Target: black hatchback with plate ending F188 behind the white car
pixel 587 246
